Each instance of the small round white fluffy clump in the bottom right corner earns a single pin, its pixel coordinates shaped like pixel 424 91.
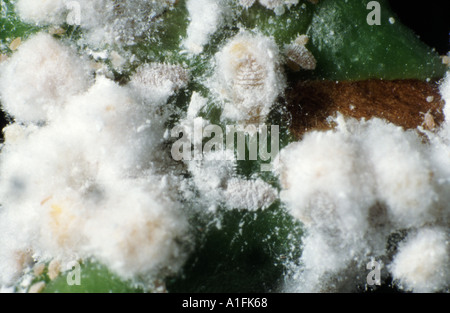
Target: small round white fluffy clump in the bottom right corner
pixel 422 263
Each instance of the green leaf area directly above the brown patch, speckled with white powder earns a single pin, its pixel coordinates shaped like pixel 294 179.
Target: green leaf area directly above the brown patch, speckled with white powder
pixel 348 48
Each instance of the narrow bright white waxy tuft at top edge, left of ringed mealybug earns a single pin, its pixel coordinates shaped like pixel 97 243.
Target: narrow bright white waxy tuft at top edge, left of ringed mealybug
pixel 206 16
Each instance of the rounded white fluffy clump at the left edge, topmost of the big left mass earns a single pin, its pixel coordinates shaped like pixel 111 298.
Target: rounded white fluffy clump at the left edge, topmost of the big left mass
pixel 39 77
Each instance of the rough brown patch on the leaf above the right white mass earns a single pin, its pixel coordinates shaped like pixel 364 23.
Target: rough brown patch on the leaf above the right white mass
pixel 401 102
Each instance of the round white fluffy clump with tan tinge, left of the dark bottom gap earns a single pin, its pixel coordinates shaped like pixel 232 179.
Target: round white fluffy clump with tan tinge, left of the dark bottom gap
pixel 142 240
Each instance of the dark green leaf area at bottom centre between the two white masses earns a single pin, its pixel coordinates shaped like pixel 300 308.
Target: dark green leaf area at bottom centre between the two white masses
pixel 240 251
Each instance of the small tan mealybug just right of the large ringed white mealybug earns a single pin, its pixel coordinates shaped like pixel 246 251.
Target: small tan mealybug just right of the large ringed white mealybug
pixel 299 57
